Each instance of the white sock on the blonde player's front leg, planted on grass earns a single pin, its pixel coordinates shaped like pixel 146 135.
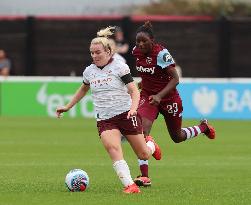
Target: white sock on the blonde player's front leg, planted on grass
pixel 123 172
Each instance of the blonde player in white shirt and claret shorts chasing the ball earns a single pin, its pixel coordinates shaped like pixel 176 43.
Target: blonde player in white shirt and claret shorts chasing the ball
pixel 115 97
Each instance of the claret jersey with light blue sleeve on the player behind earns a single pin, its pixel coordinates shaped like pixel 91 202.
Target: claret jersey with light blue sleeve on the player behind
pixel 152 69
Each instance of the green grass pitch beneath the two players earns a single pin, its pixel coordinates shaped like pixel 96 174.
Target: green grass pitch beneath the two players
pixel 37 153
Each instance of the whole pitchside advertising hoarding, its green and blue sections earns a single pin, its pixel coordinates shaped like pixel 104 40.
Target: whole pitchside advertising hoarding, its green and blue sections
pixel 40 96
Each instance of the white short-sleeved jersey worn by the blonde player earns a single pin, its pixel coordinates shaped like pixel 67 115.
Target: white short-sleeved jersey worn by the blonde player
pixel 109 93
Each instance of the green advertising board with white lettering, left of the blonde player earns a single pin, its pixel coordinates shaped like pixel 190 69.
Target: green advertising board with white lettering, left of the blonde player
pixel 31 98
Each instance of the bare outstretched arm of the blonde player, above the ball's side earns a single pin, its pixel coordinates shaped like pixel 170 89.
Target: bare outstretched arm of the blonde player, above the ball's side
pixel 80 93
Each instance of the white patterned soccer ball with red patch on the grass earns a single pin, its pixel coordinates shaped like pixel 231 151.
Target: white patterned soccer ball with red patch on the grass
pixel 77 180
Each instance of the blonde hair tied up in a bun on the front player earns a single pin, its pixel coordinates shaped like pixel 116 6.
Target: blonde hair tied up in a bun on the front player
pixel 104 37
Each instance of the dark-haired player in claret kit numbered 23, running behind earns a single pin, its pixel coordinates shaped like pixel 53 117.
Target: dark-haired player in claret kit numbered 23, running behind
pixel 156 67
